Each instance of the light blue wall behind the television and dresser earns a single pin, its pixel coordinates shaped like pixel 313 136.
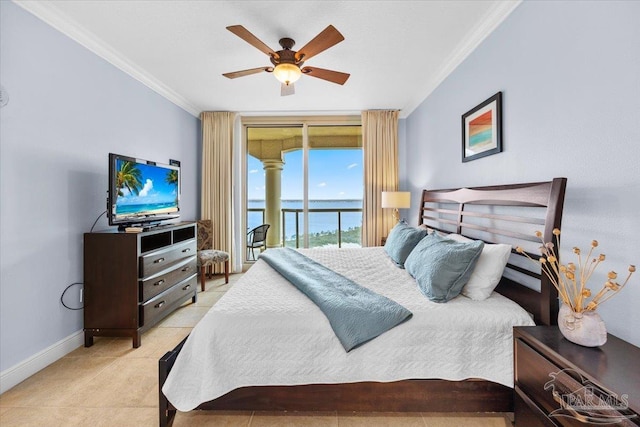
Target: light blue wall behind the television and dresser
pixel 68 109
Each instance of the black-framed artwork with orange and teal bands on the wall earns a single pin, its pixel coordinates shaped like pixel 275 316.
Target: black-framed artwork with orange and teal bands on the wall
pixel 482 129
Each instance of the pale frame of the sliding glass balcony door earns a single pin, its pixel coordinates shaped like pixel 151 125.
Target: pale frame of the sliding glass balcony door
pixel 288 121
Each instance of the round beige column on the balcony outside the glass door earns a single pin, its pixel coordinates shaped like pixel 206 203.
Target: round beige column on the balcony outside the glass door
pixel 273 208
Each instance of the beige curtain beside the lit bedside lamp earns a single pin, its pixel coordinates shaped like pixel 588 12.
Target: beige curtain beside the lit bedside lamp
pixel 380 146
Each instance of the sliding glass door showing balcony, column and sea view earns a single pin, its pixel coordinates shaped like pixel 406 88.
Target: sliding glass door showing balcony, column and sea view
pixel 306 181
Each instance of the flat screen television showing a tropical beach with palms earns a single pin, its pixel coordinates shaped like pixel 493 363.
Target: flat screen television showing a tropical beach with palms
pixel 141 192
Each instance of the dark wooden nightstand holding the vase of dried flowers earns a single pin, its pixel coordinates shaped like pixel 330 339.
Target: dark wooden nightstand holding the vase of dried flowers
pixel 559 383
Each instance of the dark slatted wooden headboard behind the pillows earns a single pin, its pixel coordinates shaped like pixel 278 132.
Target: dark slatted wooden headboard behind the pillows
pixel 506 214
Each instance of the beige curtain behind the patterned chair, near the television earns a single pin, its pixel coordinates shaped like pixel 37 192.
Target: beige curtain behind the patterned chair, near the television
pixel 217 188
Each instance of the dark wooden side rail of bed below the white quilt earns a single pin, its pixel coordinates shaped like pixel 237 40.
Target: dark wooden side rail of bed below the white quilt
pixel 399 396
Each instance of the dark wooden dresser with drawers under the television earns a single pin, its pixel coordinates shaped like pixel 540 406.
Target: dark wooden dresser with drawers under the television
pixel 133 280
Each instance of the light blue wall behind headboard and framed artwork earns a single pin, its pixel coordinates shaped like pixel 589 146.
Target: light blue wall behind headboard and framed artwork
pixel 570 77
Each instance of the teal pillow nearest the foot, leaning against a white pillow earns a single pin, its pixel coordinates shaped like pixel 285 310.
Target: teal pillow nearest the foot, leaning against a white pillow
pixel 442 266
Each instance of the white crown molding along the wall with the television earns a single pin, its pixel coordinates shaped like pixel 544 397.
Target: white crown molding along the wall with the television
pixel 61 22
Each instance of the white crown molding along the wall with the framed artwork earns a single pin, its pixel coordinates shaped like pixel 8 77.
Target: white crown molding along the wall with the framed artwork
pixel 494 17
